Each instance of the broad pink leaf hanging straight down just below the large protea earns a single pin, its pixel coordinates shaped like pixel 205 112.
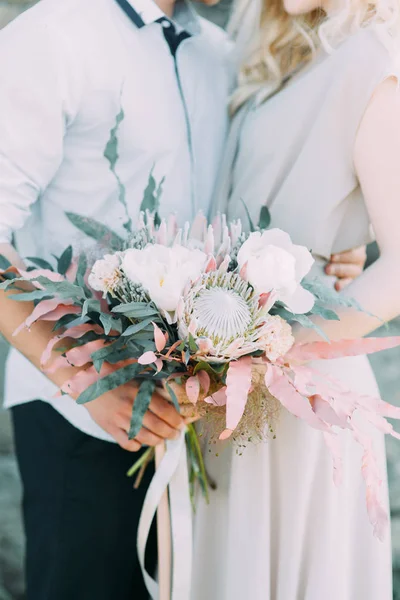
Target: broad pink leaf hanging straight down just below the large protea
pixel 238 384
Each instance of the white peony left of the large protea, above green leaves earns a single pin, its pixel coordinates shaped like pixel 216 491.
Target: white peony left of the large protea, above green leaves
pixel 164 272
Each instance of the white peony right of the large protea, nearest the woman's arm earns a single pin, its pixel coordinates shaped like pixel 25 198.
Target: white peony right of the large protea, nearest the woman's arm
pixel 270 261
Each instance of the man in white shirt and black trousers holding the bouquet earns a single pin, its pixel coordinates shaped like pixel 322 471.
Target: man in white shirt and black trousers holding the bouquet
pixel 70 67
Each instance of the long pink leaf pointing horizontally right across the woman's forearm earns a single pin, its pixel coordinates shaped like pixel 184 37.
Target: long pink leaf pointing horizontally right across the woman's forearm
pixel 338 349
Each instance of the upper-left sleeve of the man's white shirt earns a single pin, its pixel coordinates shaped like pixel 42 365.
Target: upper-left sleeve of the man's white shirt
pixel 35 105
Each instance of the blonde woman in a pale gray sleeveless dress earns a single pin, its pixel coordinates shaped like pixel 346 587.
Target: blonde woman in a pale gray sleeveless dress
pixel 316 137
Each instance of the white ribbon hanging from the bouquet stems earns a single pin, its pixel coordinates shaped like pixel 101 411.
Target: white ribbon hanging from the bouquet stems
pixel 172 473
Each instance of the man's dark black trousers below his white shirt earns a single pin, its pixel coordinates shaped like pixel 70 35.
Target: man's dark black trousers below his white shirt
pixel 80 511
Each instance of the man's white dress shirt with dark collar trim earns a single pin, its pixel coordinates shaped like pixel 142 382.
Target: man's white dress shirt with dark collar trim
pixel 66 70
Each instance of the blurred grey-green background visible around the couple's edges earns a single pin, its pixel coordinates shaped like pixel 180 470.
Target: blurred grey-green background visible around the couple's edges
pixel 386 366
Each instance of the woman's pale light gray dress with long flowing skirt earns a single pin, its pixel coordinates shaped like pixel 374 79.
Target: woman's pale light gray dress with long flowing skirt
pixel 277 528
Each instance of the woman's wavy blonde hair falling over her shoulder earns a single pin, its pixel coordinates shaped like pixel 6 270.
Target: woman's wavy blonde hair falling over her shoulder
pixel 271 44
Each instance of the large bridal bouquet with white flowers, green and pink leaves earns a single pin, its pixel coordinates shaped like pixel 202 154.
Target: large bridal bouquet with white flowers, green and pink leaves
pixel 207 313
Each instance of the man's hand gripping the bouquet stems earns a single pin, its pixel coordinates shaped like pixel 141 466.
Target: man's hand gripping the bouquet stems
pixel 113 410
